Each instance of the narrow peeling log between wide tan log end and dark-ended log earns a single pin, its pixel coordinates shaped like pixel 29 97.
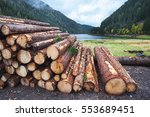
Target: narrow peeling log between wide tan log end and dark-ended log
pixel 78 81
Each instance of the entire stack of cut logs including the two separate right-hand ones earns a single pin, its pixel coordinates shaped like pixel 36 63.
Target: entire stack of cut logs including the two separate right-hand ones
pixel 33 53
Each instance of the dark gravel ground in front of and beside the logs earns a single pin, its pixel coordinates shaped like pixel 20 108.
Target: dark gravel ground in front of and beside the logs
pixel 140 74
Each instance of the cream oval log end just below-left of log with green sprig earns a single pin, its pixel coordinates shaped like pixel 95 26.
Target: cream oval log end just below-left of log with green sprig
pixel 46 74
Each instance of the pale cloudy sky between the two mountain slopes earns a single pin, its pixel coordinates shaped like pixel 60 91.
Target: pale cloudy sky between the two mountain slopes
pixel 91 12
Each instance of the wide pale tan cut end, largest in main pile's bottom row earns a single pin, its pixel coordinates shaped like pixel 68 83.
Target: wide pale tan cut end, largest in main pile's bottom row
pixel 64 87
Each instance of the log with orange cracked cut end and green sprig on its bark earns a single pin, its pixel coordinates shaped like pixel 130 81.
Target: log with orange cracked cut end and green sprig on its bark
pixel 59 65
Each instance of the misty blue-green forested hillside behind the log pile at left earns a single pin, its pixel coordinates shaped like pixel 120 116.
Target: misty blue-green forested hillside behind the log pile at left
pixel 38 10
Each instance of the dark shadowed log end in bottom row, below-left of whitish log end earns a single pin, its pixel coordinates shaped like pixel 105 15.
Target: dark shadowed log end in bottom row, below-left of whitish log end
pixel 13 81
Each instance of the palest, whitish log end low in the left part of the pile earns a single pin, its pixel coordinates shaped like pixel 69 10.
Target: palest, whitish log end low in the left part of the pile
pixel 22 71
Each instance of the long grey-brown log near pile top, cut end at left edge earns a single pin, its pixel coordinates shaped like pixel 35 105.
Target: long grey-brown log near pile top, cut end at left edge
pixel 8 29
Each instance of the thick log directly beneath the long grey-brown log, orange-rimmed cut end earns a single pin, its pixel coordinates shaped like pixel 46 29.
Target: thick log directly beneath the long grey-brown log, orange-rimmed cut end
pixel 25 40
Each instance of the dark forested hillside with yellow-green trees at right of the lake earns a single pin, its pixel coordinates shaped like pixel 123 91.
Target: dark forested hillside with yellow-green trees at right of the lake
pixel 131 18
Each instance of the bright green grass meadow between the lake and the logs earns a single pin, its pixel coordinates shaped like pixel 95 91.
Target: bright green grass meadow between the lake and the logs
pixel 118 46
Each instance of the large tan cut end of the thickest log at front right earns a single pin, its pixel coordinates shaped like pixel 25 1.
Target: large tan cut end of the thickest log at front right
pixel 115 86
